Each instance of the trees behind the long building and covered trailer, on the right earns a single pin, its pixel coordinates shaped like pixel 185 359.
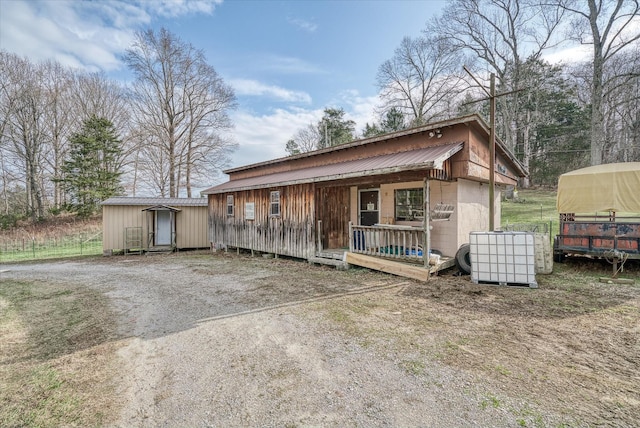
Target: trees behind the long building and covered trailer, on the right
pixel 553 117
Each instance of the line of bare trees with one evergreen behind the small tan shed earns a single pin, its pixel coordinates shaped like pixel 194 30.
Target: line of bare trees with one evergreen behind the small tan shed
pixel 70 138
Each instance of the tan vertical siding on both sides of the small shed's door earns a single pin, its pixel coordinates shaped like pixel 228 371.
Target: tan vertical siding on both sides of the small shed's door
pixel 191 226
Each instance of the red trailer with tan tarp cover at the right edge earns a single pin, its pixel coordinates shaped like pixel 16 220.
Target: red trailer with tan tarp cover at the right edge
pixel 599 210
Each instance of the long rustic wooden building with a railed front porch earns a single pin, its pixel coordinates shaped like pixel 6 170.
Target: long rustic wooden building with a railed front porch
pixel 395 196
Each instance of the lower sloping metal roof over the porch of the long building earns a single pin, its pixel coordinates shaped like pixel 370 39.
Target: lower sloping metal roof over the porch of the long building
pixel 426 158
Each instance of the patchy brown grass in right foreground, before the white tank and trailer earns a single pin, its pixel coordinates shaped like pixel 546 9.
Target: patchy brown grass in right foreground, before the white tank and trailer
pixel 564 354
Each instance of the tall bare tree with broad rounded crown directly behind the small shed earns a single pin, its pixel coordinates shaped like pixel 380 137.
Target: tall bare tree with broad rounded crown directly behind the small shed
pixel 182 104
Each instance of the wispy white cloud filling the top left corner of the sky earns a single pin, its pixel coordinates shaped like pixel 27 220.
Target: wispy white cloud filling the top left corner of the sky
pixel 88 35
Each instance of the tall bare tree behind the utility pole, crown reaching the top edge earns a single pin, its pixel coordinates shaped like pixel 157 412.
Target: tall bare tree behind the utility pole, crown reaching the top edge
pixel 501 35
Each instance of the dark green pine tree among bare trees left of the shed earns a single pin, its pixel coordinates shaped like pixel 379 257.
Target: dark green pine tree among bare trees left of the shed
pixel 91 174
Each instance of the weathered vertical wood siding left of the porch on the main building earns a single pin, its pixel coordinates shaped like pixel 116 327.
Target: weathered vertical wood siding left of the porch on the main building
pixel 291 233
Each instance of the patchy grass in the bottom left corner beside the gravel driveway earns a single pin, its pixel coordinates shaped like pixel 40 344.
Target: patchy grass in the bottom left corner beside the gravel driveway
pixel 55 355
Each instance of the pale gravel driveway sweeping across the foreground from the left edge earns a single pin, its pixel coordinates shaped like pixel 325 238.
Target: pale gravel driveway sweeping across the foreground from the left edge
pixel 220 340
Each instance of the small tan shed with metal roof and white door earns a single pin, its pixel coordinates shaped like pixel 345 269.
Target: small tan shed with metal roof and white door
pixel 153 224
